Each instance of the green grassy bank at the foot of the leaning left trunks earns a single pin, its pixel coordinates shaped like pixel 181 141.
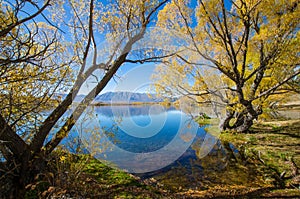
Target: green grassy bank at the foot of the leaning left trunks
pixel 82 176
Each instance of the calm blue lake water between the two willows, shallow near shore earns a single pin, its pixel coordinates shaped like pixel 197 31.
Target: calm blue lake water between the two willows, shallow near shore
pixel 151 141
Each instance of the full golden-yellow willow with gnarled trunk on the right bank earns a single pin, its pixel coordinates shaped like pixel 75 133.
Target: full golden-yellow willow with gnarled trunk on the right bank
pixel 250 47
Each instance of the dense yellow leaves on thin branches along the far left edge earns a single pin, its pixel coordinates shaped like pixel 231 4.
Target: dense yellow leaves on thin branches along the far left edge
pixel 33 68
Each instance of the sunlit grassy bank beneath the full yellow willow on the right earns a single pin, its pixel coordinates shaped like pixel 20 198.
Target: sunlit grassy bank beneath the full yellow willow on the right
pixel 273 148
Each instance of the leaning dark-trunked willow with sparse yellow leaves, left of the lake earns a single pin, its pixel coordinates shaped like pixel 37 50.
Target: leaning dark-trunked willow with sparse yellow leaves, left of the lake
pixel 51 47
